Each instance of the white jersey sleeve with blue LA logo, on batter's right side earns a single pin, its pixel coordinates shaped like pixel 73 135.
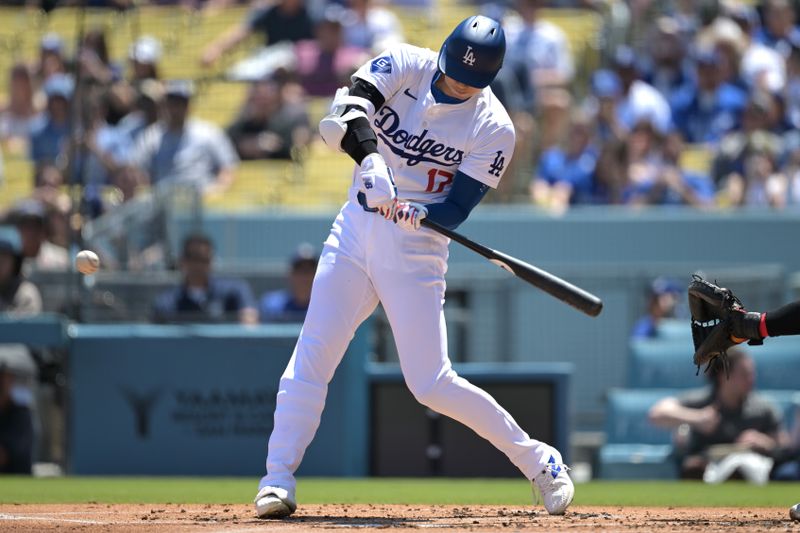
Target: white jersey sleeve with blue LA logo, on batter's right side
pixel 489 157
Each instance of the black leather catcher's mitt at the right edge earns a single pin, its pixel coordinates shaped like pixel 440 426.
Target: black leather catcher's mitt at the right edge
pixel 719 321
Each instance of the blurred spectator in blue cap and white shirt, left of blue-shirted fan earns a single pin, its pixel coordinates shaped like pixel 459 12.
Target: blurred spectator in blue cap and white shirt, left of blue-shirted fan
pixel 640 101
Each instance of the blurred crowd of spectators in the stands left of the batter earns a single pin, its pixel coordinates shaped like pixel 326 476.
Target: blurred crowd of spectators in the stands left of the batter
pixel 82 117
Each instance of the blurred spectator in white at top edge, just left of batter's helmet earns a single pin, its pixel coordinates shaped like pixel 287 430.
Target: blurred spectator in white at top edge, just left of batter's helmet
pixel 370 27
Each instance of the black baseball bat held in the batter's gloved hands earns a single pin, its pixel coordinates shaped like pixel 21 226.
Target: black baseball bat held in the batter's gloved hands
pixel 578 298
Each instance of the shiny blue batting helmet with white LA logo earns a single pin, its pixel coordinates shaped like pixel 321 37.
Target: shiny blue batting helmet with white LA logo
pixel 473 53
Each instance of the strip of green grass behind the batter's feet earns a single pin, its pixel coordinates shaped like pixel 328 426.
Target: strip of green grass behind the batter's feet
pixel 417 491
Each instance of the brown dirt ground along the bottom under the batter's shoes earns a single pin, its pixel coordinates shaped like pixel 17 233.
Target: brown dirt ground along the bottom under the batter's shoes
pixel 90 518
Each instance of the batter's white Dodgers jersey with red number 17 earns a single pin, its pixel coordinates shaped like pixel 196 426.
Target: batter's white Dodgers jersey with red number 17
pixel 425 142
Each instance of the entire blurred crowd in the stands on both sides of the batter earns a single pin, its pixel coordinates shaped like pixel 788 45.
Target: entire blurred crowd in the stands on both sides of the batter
pixel 719 78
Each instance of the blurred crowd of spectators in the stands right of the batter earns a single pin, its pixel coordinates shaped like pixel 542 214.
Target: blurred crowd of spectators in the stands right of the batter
pixel 720 78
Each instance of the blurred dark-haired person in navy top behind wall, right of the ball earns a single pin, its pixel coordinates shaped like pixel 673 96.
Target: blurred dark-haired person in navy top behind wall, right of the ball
pixel 203 297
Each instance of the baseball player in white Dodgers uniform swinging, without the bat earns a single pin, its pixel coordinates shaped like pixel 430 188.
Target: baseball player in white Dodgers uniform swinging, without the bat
pixel 429 139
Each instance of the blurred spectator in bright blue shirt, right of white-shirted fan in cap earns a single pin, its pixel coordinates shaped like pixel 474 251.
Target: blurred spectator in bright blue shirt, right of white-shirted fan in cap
pixel 704 111
